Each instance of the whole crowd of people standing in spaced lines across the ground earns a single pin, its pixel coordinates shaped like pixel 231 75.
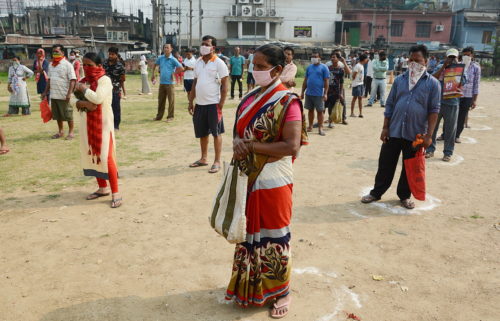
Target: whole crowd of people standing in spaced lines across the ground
pixel 268 132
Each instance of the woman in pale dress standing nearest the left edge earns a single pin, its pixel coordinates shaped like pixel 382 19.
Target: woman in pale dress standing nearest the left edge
pixel 18 88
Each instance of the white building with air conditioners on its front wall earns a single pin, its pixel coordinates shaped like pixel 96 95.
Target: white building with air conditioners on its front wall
pixel 254 22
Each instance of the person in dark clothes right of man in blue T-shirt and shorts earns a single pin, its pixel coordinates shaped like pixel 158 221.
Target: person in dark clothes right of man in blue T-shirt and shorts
pixel 336 87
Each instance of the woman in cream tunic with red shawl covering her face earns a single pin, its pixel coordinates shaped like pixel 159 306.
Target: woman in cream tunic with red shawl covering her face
pixel 97 128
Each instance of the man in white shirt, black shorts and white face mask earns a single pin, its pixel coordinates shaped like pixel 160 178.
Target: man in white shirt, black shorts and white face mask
pixel 210 91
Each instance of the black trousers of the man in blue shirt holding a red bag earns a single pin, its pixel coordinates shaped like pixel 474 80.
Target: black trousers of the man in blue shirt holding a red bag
pixel 387 163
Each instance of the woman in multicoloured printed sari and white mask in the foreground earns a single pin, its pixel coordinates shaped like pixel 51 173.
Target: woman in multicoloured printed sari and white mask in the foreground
pixel 268 134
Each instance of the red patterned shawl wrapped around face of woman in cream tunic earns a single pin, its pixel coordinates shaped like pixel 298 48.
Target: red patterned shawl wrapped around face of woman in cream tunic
pixel 94 118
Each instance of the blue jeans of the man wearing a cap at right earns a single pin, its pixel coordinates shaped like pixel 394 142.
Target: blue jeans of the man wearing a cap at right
pixel 450 115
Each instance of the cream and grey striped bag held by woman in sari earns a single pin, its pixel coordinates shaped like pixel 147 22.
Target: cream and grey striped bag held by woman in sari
pixel 228 210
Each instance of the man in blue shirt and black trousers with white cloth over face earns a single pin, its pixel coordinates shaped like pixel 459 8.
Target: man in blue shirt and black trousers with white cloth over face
pixel 412 108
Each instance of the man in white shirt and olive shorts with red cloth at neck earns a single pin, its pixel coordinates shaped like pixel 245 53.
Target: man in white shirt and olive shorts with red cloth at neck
pixel 61 84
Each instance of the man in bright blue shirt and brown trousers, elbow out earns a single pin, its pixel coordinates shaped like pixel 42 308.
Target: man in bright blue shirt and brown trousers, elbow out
pixel 168 67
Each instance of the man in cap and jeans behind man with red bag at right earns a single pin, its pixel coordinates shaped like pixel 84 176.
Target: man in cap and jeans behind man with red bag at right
pixel 448 112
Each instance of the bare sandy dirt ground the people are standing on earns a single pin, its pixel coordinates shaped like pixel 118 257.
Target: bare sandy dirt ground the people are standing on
pixel 156 258
